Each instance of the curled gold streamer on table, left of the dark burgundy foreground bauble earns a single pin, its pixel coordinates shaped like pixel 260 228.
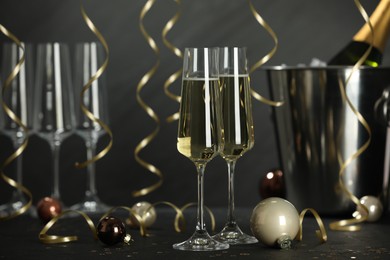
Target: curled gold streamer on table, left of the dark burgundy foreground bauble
pixel 54 239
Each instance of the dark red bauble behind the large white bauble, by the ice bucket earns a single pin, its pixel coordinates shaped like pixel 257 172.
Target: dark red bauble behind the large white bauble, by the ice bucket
pixel 272 185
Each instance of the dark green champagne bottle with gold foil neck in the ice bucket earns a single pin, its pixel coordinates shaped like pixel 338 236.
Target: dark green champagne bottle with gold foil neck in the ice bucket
pixel 380 21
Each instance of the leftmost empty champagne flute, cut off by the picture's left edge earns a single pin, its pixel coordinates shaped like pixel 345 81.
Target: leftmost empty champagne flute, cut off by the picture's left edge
pixel 18 97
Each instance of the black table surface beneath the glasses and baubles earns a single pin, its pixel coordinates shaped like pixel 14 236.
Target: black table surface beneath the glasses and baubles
pixel 19 240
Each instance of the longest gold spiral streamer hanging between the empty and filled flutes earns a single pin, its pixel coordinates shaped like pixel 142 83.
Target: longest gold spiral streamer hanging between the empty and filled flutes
pixel 144 80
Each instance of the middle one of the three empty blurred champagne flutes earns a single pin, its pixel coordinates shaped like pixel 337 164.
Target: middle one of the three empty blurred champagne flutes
pixel 53 108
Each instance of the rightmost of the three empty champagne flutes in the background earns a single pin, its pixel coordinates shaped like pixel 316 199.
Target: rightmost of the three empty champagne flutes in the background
pixel 88 59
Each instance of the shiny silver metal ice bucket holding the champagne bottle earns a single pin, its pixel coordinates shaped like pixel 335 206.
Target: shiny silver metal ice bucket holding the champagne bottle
pixel 316 131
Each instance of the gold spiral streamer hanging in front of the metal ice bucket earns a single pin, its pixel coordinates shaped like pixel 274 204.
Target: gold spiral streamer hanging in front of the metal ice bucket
pixel 351 224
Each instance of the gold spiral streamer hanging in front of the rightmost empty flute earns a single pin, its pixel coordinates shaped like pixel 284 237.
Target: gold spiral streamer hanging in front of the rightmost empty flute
pixel 98 73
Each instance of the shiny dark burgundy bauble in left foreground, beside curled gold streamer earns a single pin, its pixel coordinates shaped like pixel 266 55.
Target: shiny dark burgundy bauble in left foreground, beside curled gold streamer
pixel 111 230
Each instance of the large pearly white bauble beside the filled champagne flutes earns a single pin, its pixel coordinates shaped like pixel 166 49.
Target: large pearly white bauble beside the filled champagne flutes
pixel 275 222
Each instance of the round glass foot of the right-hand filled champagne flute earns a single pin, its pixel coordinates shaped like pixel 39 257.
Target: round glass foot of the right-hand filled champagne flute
pixel 232 234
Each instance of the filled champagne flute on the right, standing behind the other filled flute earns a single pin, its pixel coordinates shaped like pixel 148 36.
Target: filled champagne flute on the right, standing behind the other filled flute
pixel 238 129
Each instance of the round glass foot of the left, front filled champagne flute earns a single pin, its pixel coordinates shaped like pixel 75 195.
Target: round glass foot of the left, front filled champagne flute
pixel 200 241
